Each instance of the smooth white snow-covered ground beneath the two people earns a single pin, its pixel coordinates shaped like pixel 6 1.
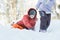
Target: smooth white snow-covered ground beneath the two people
pixel 9 33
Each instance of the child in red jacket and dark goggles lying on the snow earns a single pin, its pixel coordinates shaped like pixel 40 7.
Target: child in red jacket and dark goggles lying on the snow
pixel 28 21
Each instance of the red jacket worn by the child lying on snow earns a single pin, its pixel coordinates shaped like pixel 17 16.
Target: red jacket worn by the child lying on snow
pixel 27 21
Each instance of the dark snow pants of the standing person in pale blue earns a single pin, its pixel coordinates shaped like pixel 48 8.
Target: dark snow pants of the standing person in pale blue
pixel 45 20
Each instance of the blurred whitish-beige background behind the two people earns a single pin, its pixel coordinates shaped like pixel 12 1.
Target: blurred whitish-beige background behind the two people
pixel 12 10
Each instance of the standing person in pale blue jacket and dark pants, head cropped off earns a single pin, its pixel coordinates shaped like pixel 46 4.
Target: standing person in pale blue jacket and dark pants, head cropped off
pixel 45 7
